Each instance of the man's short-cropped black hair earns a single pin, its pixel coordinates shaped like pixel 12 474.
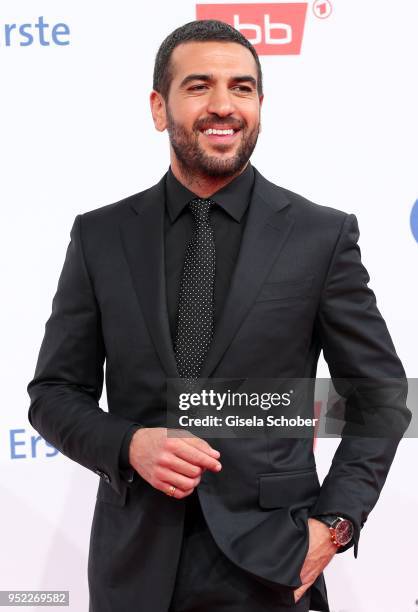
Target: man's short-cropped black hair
pixel 200 30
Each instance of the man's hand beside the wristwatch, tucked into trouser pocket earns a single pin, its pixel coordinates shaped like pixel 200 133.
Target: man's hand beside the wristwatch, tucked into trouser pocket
pixel 321 551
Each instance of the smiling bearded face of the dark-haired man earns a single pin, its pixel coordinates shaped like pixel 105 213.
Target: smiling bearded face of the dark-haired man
pixel 213 110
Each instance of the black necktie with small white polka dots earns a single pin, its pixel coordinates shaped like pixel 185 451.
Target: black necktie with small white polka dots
pixel 196 301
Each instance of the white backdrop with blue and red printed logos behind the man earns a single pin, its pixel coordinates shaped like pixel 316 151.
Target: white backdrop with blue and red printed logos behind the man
pixel 338 126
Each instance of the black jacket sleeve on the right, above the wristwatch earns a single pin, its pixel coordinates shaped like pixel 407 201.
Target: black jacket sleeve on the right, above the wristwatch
pixel 361 356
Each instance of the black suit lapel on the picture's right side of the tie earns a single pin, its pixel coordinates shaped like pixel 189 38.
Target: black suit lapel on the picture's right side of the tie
pixel 268 226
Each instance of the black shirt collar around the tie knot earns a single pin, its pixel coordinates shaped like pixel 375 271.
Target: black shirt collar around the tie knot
pixel 233 197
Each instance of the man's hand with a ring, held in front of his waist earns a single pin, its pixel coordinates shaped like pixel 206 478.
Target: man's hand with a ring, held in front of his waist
pixel 165 461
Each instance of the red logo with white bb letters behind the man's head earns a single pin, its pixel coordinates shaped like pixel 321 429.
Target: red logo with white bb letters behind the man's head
pixel 273 29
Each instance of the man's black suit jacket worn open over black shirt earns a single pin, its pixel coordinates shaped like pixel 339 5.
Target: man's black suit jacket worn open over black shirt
pixel 298 287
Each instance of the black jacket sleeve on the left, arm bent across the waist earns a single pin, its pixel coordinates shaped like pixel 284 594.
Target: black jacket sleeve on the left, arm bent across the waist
pixel 68 379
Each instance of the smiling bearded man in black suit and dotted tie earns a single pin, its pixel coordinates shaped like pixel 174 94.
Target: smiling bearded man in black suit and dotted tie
pixel 212 272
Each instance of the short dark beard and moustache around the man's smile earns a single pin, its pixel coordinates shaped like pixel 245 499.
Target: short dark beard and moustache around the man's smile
pixel 194 161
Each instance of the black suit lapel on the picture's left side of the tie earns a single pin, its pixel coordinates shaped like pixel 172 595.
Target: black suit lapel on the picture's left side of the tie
pixel 143 241
